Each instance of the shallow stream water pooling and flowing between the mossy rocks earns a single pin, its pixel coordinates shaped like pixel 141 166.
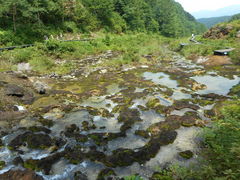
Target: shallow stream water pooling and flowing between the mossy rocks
pixel 151 84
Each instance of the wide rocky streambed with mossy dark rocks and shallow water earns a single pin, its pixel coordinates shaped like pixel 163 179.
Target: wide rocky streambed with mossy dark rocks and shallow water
pixel 112 123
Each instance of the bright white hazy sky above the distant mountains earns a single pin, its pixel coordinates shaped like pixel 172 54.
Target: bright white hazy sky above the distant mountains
pixel 197 5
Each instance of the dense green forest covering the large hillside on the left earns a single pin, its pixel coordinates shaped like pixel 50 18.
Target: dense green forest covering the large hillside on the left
pixel 38 17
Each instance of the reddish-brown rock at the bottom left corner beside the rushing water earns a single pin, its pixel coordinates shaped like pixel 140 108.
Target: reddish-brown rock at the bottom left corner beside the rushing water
pixel 20 175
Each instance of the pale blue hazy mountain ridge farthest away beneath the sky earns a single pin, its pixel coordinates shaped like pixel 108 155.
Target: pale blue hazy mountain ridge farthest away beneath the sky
pixel 227 11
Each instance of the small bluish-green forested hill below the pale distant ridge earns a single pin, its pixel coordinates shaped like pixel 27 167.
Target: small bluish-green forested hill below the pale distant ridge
pixel 210 22
